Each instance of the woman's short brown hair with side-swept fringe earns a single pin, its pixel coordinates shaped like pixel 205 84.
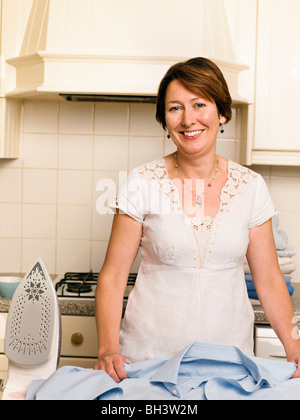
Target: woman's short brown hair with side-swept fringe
pixel 201 76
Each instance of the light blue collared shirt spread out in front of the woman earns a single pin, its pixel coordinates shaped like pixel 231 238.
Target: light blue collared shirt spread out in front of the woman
pixel 200 372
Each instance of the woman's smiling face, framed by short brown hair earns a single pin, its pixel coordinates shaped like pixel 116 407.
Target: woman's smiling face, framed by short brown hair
pixel 193 122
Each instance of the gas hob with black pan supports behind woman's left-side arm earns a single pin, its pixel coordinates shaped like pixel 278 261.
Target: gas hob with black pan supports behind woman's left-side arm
pixel 75 285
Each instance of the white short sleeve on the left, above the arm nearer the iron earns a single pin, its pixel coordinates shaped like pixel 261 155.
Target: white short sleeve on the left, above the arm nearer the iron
pixel 129 199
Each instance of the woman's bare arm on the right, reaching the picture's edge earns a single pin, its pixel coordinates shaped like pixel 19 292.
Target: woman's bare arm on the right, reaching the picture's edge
pixel 271 289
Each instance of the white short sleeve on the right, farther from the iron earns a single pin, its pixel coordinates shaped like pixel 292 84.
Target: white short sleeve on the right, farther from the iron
pixel 263 208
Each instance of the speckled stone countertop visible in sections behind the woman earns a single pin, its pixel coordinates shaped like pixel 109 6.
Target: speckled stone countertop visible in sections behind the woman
pixel 87 308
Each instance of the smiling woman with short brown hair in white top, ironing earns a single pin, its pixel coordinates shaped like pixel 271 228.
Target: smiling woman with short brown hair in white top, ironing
pixel 195 215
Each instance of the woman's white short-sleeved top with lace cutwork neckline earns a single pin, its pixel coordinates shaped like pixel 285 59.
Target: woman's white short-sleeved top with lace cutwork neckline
pixel 190 285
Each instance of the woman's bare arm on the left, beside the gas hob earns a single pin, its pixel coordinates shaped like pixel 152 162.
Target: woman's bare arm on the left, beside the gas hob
pixel 121 252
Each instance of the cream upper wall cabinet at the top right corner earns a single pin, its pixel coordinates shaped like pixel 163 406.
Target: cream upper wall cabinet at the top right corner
pixel 276 132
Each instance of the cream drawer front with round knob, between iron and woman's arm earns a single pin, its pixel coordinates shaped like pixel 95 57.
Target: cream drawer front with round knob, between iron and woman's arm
pixel 79 336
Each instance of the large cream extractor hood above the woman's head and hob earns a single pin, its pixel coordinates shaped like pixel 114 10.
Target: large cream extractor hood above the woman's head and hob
pixel 118 47
